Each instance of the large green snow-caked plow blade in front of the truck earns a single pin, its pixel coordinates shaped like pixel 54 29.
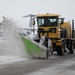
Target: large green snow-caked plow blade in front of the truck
pixel 34 49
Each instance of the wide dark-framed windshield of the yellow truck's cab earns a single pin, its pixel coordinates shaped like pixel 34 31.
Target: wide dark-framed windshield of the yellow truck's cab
pixel 47 21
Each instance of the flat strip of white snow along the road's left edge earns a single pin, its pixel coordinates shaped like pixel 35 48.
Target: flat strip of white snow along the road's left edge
pixel 6 59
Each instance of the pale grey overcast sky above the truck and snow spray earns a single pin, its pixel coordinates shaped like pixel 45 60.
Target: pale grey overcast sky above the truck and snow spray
pixel 17 8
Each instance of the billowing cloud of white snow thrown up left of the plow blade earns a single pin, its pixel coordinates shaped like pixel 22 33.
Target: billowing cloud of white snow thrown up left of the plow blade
pixel 12 47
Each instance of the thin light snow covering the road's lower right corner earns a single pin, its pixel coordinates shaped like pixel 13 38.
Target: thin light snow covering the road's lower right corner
pixel 67 67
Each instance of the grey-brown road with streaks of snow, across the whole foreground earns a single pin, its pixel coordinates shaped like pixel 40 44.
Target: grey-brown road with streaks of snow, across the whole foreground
pixel 55 65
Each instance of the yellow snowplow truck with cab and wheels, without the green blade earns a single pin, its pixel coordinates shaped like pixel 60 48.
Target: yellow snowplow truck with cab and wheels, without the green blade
pixel 59 32
